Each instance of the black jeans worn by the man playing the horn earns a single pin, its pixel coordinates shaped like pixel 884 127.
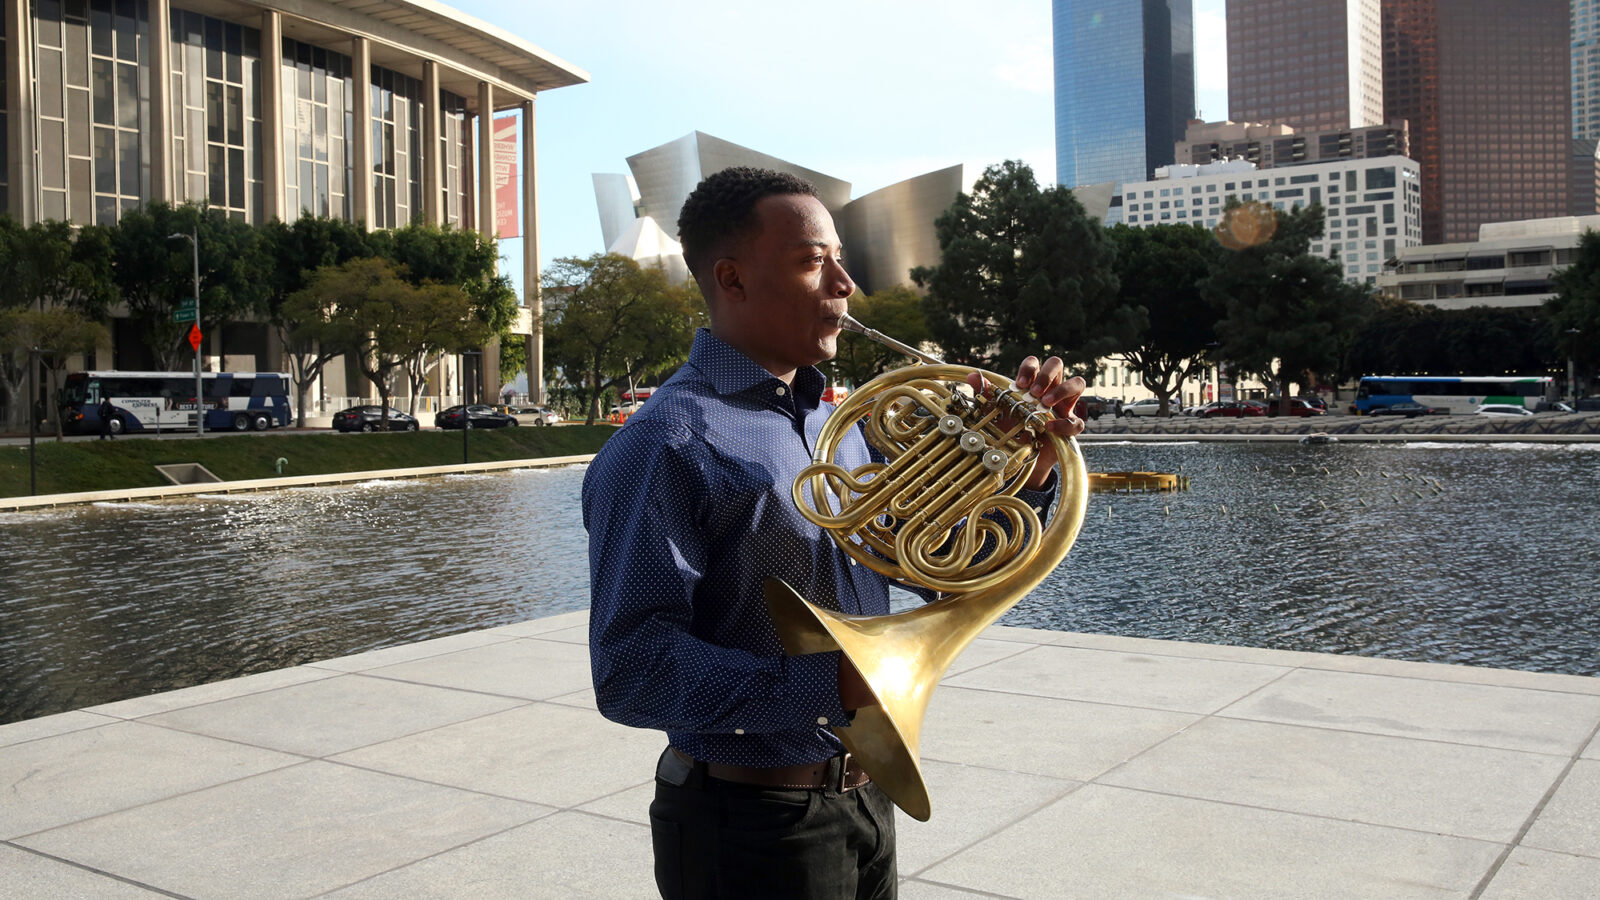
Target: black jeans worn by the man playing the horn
pixel 718 840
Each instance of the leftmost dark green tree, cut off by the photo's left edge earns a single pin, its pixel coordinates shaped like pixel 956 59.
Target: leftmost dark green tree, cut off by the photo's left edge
pixel 47 268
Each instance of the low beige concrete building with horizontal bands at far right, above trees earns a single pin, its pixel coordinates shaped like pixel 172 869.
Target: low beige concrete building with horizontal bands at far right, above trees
pixel 1510 265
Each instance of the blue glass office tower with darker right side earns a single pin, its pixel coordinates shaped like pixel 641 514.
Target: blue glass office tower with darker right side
pixel 1126 87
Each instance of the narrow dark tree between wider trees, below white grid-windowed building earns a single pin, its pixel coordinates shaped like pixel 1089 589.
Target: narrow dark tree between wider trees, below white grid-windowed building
pixel 1170 323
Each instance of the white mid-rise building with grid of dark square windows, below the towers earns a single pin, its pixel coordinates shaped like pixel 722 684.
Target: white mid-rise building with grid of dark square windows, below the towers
pixel 1374 207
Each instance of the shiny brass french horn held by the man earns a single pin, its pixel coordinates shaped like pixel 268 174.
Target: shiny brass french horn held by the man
pixel 940 513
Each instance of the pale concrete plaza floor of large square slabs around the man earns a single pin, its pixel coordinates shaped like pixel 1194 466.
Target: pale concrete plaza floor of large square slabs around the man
pixel 1060 766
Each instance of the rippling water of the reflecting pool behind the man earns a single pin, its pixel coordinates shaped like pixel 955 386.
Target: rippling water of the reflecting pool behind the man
pixel 1479 555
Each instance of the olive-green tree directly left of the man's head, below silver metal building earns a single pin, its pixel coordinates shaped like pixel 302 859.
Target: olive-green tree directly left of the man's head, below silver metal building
pixel 609 323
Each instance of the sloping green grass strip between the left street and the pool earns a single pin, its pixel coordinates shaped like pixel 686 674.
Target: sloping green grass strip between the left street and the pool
pixel 130 462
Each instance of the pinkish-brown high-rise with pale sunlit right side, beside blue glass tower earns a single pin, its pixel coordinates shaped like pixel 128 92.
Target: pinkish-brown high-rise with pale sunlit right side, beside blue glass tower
pixel 1311 66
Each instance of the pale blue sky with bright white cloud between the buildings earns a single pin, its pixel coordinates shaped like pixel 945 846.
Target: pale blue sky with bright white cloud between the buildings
pixel 871 92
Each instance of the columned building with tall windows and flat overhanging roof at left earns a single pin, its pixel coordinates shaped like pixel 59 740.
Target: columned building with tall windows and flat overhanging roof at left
pixel 374 113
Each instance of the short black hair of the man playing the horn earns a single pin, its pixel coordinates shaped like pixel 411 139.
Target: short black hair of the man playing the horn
pixel 722 211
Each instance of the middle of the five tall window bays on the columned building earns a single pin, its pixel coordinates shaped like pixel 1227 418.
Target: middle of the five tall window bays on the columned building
pixel 319 123
